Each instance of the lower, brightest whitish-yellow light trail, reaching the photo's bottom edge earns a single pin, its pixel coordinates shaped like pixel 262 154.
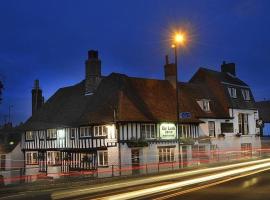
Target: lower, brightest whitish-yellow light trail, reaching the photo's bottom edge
pixel 172 186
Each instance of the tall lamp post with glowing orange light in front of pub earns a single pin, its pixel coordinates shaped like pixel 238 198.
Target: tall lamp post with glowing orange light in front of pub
pixel 178 40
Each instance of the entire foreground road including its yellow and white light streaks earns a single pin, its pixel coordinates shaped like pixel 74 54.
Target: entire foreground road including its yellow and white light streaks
pixel 249 180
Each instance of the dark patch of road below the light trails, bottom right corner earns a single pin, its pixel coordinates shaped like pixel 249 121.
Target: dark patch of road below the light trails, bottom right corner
pixel 254 187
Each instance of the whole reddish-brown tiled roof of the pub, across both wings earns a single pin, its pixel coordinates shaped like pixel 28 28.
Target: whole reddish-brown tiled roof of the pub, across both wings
pixel 120 98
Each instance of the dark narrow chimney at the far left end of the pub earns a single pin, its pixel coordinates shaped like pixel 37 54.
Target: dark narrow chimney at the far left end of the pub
pixel 37 98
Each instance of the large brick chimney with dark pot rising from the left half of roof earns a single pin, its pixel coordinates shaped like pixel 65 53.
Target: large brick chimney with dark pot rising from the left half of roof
pixel 92 72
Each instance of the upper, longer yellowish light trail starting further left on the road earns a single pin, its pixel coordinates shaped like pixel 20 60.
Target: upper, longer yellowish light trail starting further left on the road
pixel 94 189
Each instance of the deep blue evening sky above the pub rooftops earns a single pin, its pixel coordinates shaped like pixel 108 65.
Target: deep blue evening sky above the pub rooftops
pixel 49 40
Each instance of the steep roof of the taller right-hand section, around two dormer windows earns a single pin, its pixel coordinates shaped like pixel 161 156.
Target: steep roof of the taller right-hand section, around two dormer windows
pixel 218 83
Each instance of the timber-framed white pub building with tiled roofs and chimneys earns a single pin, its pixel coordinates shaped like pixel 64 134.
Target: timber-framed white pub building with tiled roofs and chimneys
pixel 125 122
